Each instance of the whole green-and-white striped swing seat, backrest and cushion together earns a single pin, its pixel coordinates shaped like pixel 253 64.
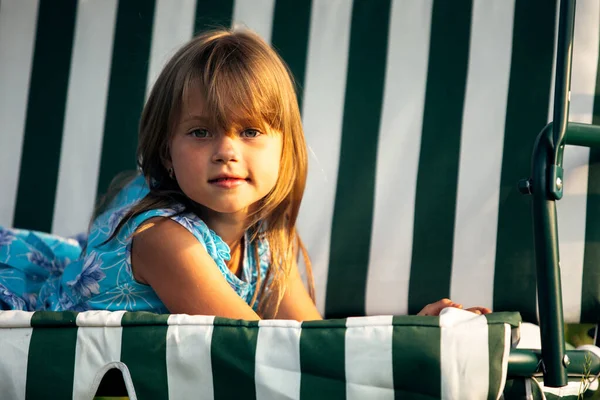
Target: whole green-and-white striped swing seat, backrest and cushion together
pixel 420 117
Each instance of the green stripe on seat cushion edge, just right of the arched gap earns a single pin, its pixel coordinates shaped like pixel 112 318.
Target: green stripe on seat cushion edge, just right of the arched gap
pixel 144 351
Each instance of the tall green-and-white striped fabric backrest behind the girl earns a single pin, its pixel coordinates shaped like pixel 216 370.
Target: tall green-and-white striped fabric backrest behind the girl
pixel 420 116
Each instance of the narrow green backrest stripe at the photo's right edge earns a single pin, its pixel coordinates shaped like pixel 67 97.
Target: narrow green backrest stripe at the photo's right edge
pixel 590 299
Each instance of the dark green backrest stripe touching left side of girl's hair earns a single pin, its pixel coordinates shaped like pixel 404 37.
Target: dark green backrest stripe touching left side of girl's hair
pixel 127 89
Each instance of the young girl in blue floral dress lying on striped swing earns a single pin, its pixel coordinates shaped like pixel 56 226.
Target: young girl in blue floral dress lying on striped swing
pixel 209 227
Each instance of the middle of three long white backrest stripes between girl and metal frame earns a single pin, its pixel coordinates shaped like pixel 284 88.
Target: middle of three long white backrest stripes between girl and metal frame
pixel 398 150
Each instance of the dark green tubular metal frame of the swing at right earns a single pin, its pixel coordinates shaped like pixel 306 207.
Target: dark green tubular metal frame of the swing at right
pixel 546 187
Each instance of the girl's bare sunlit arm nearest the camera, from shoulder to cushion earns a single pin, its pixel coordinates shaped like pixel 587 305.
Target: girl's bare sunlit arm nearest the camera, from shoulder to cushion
pixel 171 260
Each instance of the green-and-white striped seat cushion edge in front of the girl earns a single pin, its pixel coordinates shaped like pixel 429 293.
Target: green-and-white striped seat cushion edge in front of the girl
pixel 181 356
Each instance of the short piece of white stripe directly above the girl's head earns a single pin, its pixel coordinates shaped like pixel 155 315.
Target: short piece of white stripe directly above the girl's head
pixel 256 15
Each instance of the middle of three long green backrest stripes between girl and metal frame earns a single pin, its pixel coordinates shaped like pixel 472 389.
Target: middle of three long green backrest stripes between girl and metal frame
pixel 435 197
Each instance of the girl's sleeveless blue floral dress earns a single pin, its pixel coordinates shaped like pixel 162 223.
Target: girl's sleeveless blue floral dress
pixel 46 272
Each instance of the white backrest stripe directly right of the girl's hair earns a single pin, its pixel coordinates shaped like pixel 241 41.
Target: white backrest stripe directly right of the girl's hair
pixel 323 114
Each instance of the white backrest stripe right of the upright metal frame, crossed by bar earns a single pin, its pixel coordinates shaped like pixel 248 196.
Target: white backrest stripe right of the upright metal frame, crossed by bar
pixel 572 209
